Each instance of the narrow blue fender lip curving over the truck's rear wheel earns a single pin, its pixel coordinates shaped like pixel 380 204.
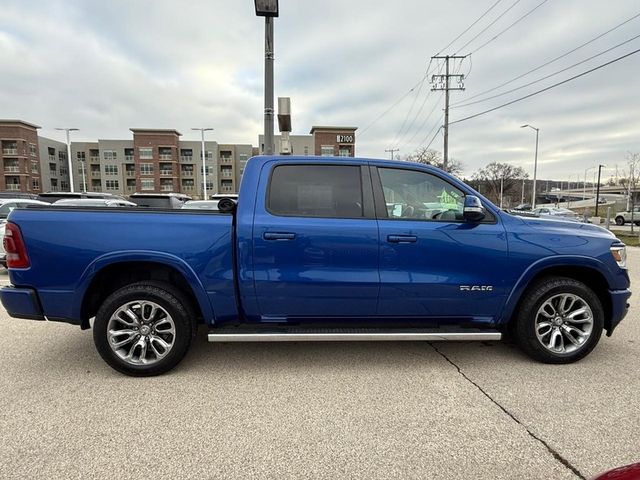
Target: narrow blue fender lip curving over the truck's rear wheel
pixel 143 256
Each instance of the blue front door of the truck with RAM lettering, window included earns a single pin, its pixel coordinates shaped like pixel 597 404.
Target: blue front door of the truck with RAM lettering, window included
pixel 434 264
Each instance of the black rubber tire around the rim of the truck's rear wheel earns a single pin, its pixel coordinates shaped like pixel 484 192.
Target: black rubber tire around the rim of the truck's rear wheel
pixel 173 301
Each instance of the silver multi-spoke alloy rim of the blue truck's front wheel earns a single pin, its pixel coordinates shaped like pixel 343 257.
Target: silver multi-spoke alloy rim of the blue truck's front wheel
pixel 564 323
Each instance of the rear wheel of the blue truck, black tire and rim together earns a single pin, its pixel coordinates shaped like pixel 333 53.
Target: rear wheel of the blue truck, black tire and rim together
pixel 144 329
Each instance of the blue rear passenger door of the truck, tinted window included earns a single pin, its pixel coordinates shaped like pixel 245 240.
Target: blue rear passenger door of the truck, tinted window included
pixel 315 242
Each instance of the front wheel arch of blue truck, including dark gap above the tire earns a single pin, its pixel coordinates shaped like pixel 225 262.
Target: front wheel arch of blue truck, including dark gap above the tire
pixel 583 269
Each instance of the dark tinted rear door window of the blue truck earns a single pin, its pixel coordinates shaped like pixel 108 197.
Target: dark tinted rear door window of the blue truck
pixel 333 191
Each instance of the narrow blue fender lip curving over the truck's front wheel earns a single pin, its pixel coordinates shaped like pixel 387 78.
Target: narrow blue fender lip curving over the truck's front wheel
pixel 543 264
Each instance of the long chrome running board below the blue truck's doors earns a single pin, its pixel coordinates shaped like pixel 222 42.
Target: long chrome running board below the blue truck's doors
pixel 348 335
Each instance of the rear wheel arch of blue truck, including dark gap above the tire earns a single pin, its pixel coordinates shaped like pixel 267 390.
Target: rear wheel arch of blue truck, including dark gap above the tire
pixel 108 273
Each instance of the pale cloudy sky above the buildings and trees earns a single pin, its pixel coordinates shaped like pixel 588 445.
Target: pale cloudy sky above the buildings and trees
pixel 104 67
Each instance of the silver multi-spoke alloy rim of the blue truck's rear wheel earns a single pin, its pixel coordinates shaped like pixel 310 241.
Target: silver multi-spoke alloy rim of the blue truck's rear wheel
pixel 141 332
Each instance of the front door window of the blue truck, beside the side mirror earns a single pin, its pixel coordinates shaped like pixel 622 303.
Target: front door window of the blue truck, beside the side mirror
pixel 410 194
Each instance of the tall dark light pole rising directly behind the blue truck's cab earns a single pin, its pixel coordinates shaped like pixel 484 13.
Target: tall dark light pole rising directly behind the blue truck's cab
pixel 268 9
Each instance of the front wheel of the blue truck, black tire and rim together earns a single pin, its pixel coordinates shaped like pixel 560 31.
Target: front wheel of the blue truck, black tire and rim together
pixel 560 321
